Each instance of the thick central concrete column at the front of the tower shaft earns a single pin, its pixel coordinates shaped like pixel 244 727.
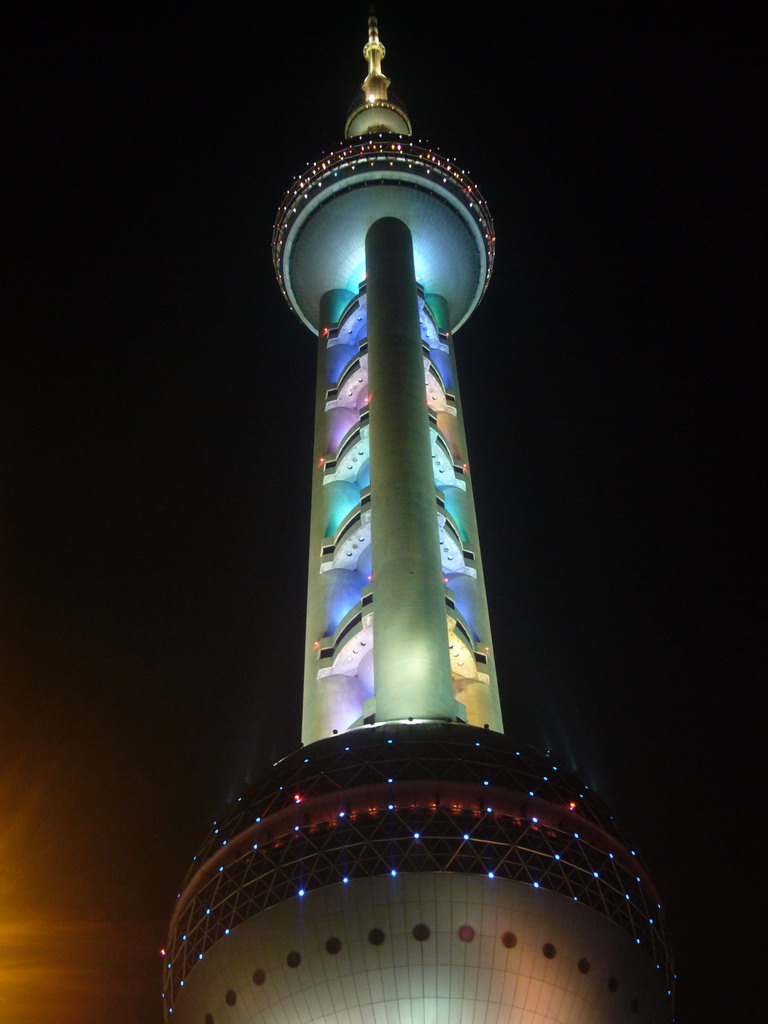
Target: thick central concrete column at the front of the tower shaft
pixel 412 671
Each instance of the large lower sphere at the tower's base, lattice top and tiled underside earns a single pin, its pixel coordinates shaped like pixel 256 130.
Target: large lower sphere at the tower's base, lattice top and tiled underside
pixel 407 872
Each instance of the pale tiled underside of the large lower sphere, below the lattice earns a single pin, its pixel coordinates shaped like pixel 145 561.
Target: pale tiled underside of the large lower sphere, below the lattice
pixel 439 982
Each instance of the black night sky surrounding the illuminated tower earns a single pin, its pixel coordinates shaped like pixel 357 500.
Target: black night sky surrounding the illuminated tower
pixel 157 453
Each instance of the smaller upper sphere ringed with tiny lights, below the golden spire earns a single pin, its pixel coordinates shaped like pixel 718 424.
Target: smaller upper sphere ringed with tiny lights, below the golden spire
pixel 319 240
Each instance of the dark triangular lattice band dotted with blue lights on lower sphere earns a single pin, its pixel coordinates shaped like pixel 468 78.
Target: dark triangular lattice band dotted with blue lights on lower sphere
pixel 425 798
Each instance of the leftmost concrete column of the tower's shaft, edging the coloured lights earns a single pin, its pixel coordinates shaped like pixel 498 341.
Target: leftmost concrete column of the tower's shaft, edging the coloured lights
pixel 315 716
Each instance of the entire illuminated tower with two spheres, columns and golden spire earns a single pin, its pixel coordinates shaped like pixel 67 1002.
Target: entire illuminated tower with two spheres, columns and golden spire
pixel 408 865
